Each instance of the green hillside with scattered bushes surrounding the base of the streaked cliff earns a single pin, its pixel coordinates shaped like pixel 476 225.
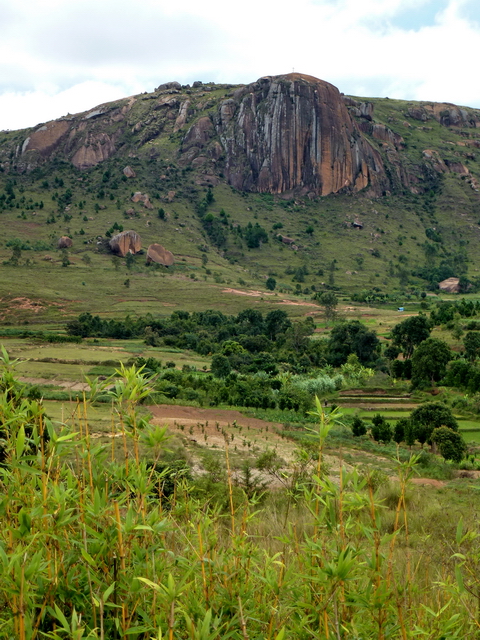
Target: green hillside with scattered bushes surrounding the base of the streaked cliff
pixel 222 238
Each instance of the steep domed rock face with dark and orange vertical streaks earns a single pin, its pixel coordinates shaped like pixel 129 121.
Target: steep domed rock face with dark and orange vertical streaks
pixel 294 132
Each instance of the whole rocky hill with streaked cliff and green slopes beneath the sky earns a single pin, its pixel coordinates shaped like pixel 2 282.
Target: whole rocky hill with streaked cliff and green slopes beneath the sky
pixel 283 178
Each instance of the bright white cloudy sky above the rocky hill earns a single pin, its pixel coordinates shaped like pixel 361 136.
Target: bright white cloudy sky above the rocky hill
pixel 66 56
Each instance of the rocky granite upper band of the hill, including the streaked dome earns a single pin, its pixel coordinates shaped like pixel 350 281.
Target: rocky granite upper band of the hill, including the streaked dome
pixel 290 134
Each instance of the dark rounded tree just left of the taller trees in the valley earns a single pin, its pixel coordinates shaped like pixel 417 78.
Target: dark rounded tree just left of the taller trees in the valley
pixel 352 337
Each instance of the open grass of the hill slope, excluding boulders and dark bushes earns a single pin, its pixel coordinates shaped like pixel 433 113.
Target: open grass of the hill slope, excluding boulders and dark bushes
pixel 394 226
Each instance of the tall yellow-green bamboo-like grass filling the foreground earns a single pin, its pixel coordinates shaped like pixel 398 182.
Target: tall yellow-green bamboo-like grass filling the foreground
pixel 92 547
